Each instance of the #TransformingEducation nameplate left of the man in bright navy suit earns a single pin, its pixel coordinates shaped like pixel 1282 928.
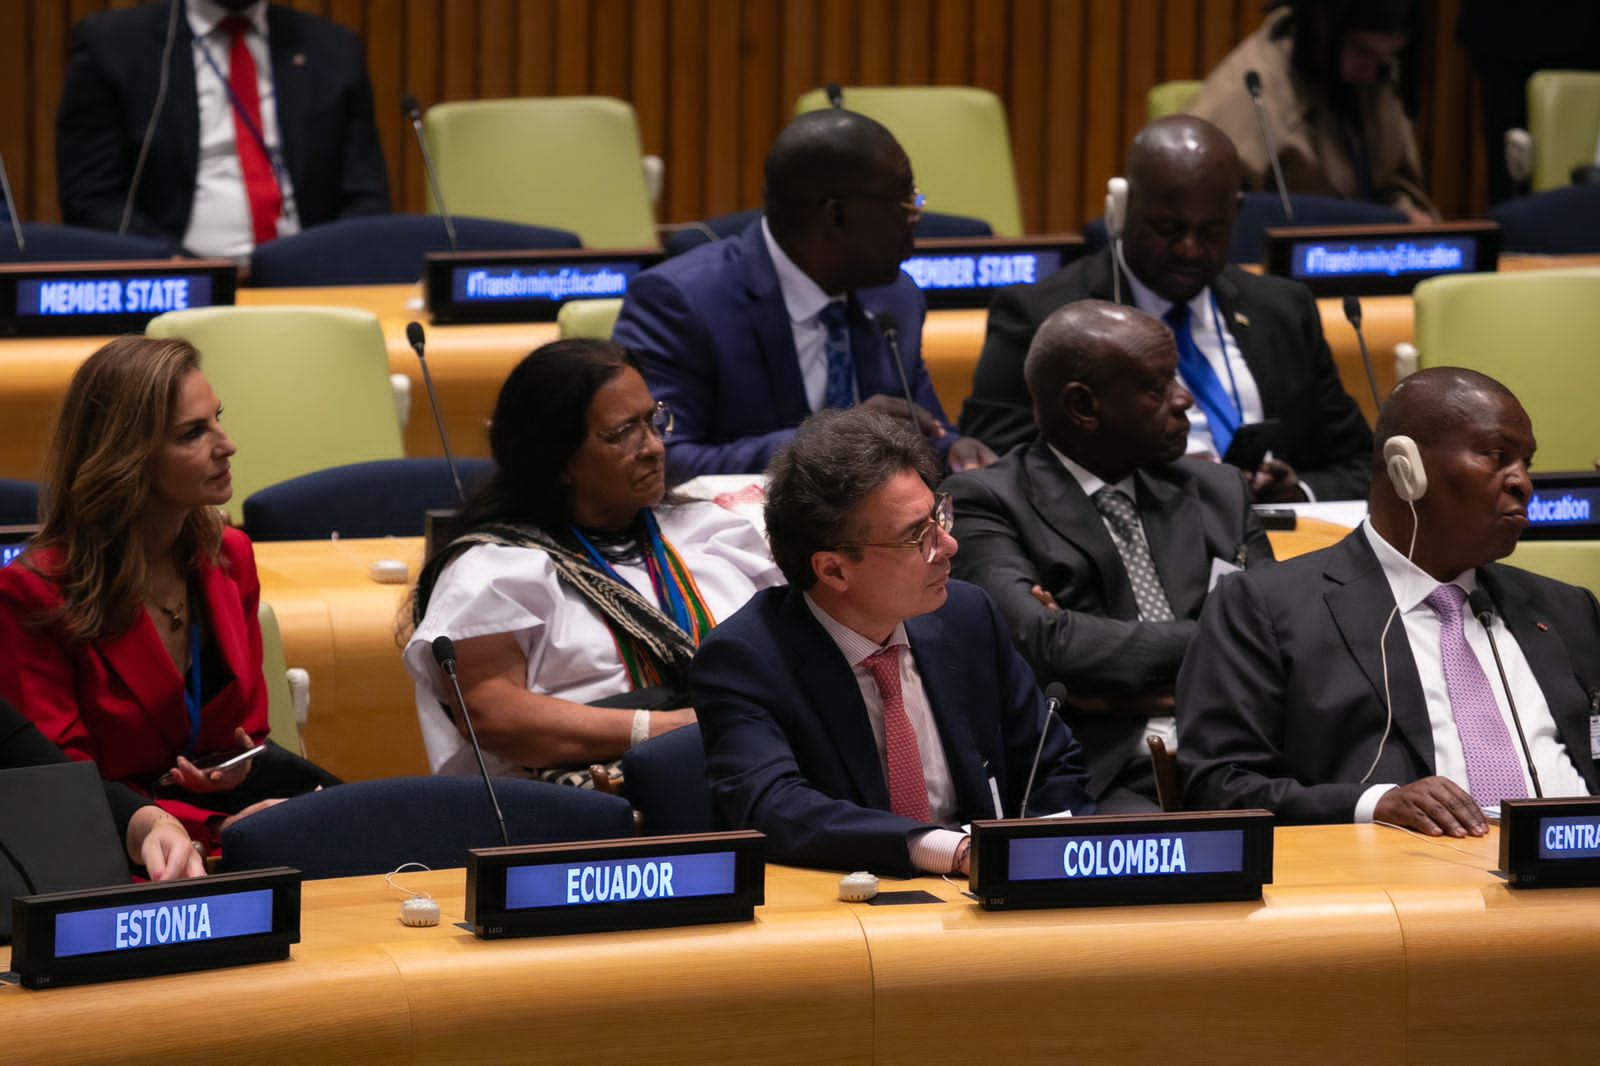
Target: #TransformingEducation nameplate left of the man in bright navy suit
pixel 476 287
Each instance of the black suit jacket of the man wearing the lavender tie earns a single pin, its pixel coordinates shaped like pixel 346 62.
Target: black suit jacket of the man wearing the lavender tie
pixel 1281 699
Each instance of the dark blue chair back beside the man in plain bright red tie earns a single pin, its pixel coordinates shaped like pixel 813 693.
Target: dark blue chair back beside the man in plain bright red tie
pixel 388 249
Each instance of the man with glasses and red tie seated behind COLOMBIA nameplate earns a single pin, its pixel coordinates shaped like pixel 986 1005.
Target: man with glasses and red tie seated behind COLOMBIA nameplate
pixel 873 707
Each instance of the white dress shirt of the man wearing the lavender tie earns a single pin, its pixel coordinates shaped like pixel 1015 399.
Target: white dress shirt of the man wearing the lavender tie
pixel 1412 587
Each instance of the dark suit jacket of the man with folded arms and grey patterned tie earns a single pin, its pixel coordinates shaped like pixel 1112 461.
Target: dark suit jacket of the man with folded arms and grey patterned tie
pixel 1026 521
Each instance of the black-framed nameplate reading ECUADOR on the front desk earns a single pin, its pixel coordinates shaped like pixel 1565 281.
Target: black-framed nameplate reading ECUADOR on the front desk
pixel 615 884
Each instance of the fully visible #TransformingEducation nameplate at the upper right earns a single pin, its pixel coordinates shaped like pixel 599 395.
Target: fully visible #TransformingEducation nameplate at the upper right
pixel 1378 260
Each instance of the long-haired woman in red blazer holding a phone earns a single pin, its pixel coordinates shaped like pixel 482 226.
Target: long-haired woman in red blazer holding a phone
pixel 129 630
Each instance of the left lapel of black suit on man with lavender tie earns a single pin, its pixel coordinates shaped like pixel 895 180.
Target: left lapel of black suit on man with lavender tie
pixel 1361 606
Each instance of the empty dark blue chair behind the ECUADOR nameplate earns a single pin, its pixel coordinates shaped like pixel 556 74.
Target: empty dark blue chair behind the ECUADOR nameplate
pixel 375 827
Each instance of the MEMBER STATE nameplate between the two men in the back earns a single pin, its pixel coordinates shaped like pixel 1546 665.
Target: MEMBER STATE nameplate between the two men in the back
pixel 964 273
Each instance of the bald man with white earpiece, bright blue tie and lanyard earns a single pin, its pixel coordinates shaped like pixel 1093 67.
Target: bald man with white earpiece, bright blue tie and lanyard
pixel 1250 348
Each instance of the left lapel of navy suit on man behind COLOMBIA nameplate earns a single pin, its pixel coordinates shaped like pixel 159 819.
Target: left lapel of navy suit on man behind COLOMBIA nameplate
pixel 836 697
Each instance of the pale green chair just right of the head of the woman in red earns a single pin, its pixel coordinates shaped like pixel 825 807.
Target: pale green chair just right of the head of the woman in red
pixel 302 388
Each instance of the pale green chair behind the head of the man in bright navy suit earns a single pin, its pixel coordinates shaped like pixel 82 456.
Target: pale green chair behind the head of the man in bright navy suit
pixel 958 142
